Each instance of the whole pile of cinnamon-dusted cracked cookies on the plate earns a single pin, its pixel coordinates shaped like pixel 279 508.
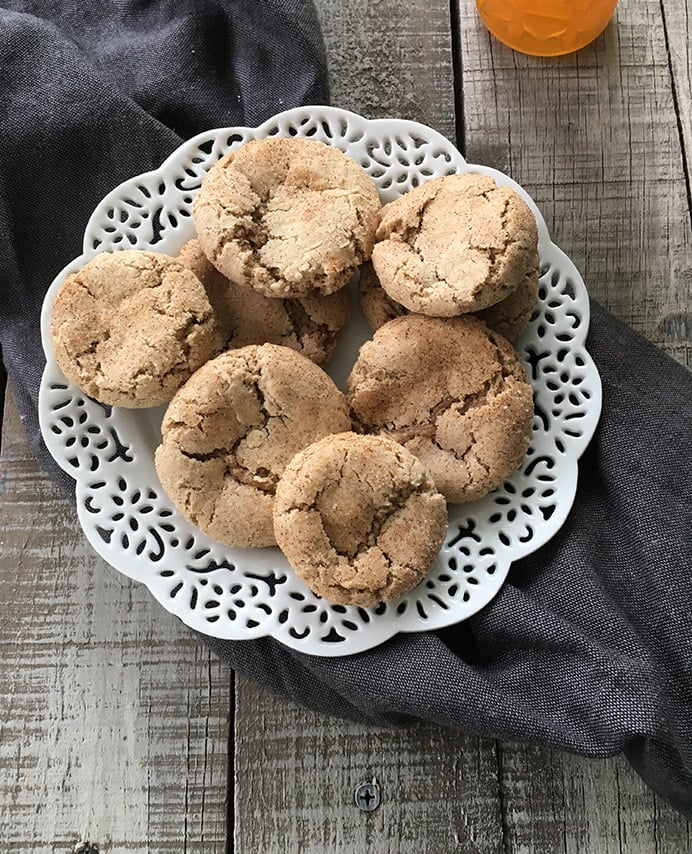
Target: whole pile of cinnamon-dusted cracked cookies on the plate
pixel 259 446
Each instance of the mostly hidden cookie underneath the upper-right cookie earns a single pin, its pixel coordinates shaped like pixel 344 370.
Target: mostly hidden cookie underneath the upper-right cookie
pixel 508 317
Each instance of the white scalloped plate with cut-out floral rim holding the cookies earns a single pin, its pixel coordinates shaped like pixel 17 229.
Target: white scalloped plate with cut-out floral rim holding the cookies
pixel 241 593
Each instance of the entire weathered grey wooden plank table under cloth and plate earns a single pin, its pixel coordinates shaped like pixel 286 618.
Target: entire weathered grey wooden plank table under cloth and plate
pixel 118 727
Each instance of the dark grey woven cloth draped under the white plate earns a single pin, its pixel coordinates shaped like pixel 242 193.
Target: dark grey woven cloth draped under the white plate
pixel 586 648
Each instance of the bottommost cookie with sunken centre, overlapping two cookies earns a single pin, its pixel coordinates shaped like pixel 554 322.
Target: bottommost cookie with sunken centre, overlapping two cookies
pixel 359 518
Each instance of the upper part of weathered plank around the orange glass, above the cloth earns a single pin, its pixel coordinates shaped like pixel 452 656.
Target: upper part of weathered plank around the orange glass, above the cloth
pixel 594 139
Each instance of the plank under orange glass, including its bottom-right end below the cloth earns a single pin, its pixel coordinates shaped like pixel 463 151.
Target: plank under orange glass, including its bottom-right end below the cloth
pixel 594 138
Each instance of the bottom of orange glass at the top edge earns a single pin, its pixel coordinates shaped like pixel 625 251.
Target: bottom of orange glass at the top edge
pixel 546 27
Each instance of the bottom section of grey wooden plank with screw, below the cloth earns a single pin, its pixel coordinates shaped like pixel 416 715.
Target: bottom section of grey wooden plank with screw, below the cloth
pixel 297 771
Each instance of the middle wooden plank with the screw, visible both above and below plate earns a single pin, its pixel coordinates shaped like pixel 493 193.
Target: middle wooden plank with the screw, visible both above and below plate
pixel 296 771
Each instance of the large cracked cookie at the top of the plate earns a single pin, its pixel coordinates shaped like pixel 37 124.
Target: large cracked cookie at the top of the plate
pixel 287 216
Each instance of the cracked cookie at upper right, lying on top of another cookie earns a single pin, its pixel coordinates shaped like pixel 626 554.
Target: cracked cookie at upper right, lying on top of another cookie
pixel 454 245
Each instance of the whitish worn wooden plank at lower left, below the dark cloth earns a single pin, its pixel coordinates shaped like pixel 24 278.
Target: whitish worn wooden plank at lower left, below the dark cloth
pixel 113 718
